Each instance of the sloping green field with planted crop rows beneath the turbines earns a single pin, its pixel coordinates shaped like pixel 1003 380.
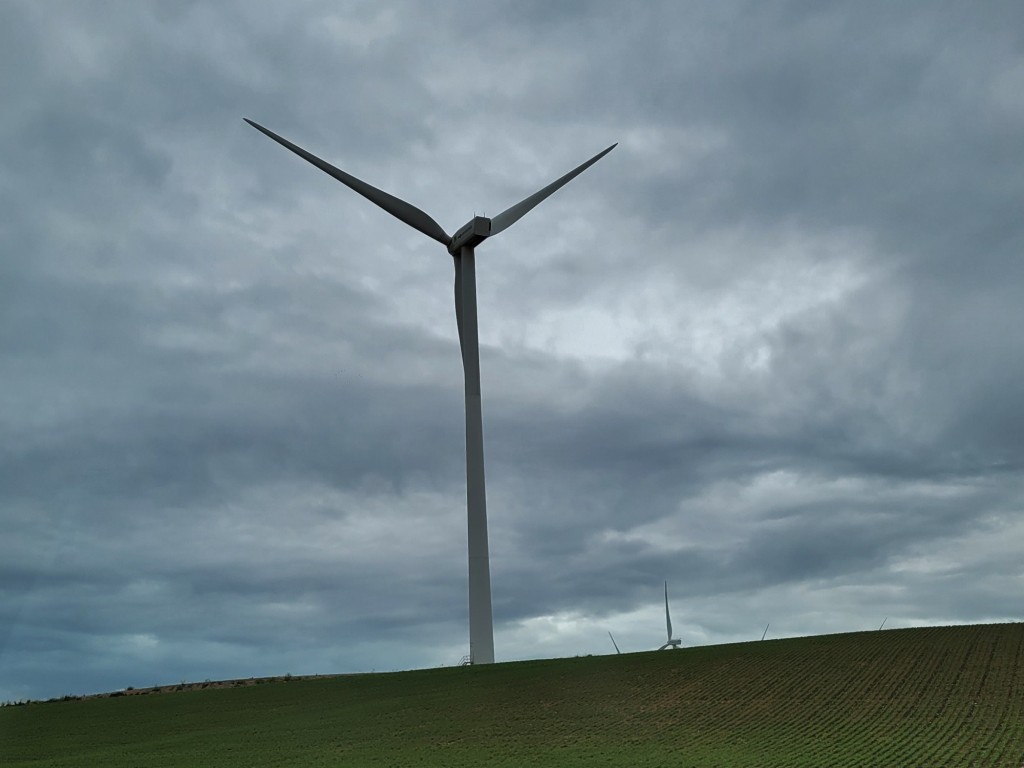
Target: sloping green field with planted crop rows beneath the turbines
pixel 938 697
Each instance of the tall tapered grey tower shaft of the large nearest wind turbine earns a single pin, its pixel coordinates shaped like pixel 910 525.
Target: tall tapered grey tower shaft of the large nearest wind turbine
pixel 482 638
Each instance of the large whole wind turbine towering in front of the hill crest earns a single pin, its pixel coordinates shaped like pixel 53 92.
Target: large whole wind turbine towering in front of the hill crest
pixel 461 246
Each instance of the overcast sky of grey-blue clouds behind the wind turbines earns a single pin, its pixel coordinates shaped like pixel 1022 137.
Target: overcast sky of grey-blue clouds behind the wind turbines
pixel 770 350
